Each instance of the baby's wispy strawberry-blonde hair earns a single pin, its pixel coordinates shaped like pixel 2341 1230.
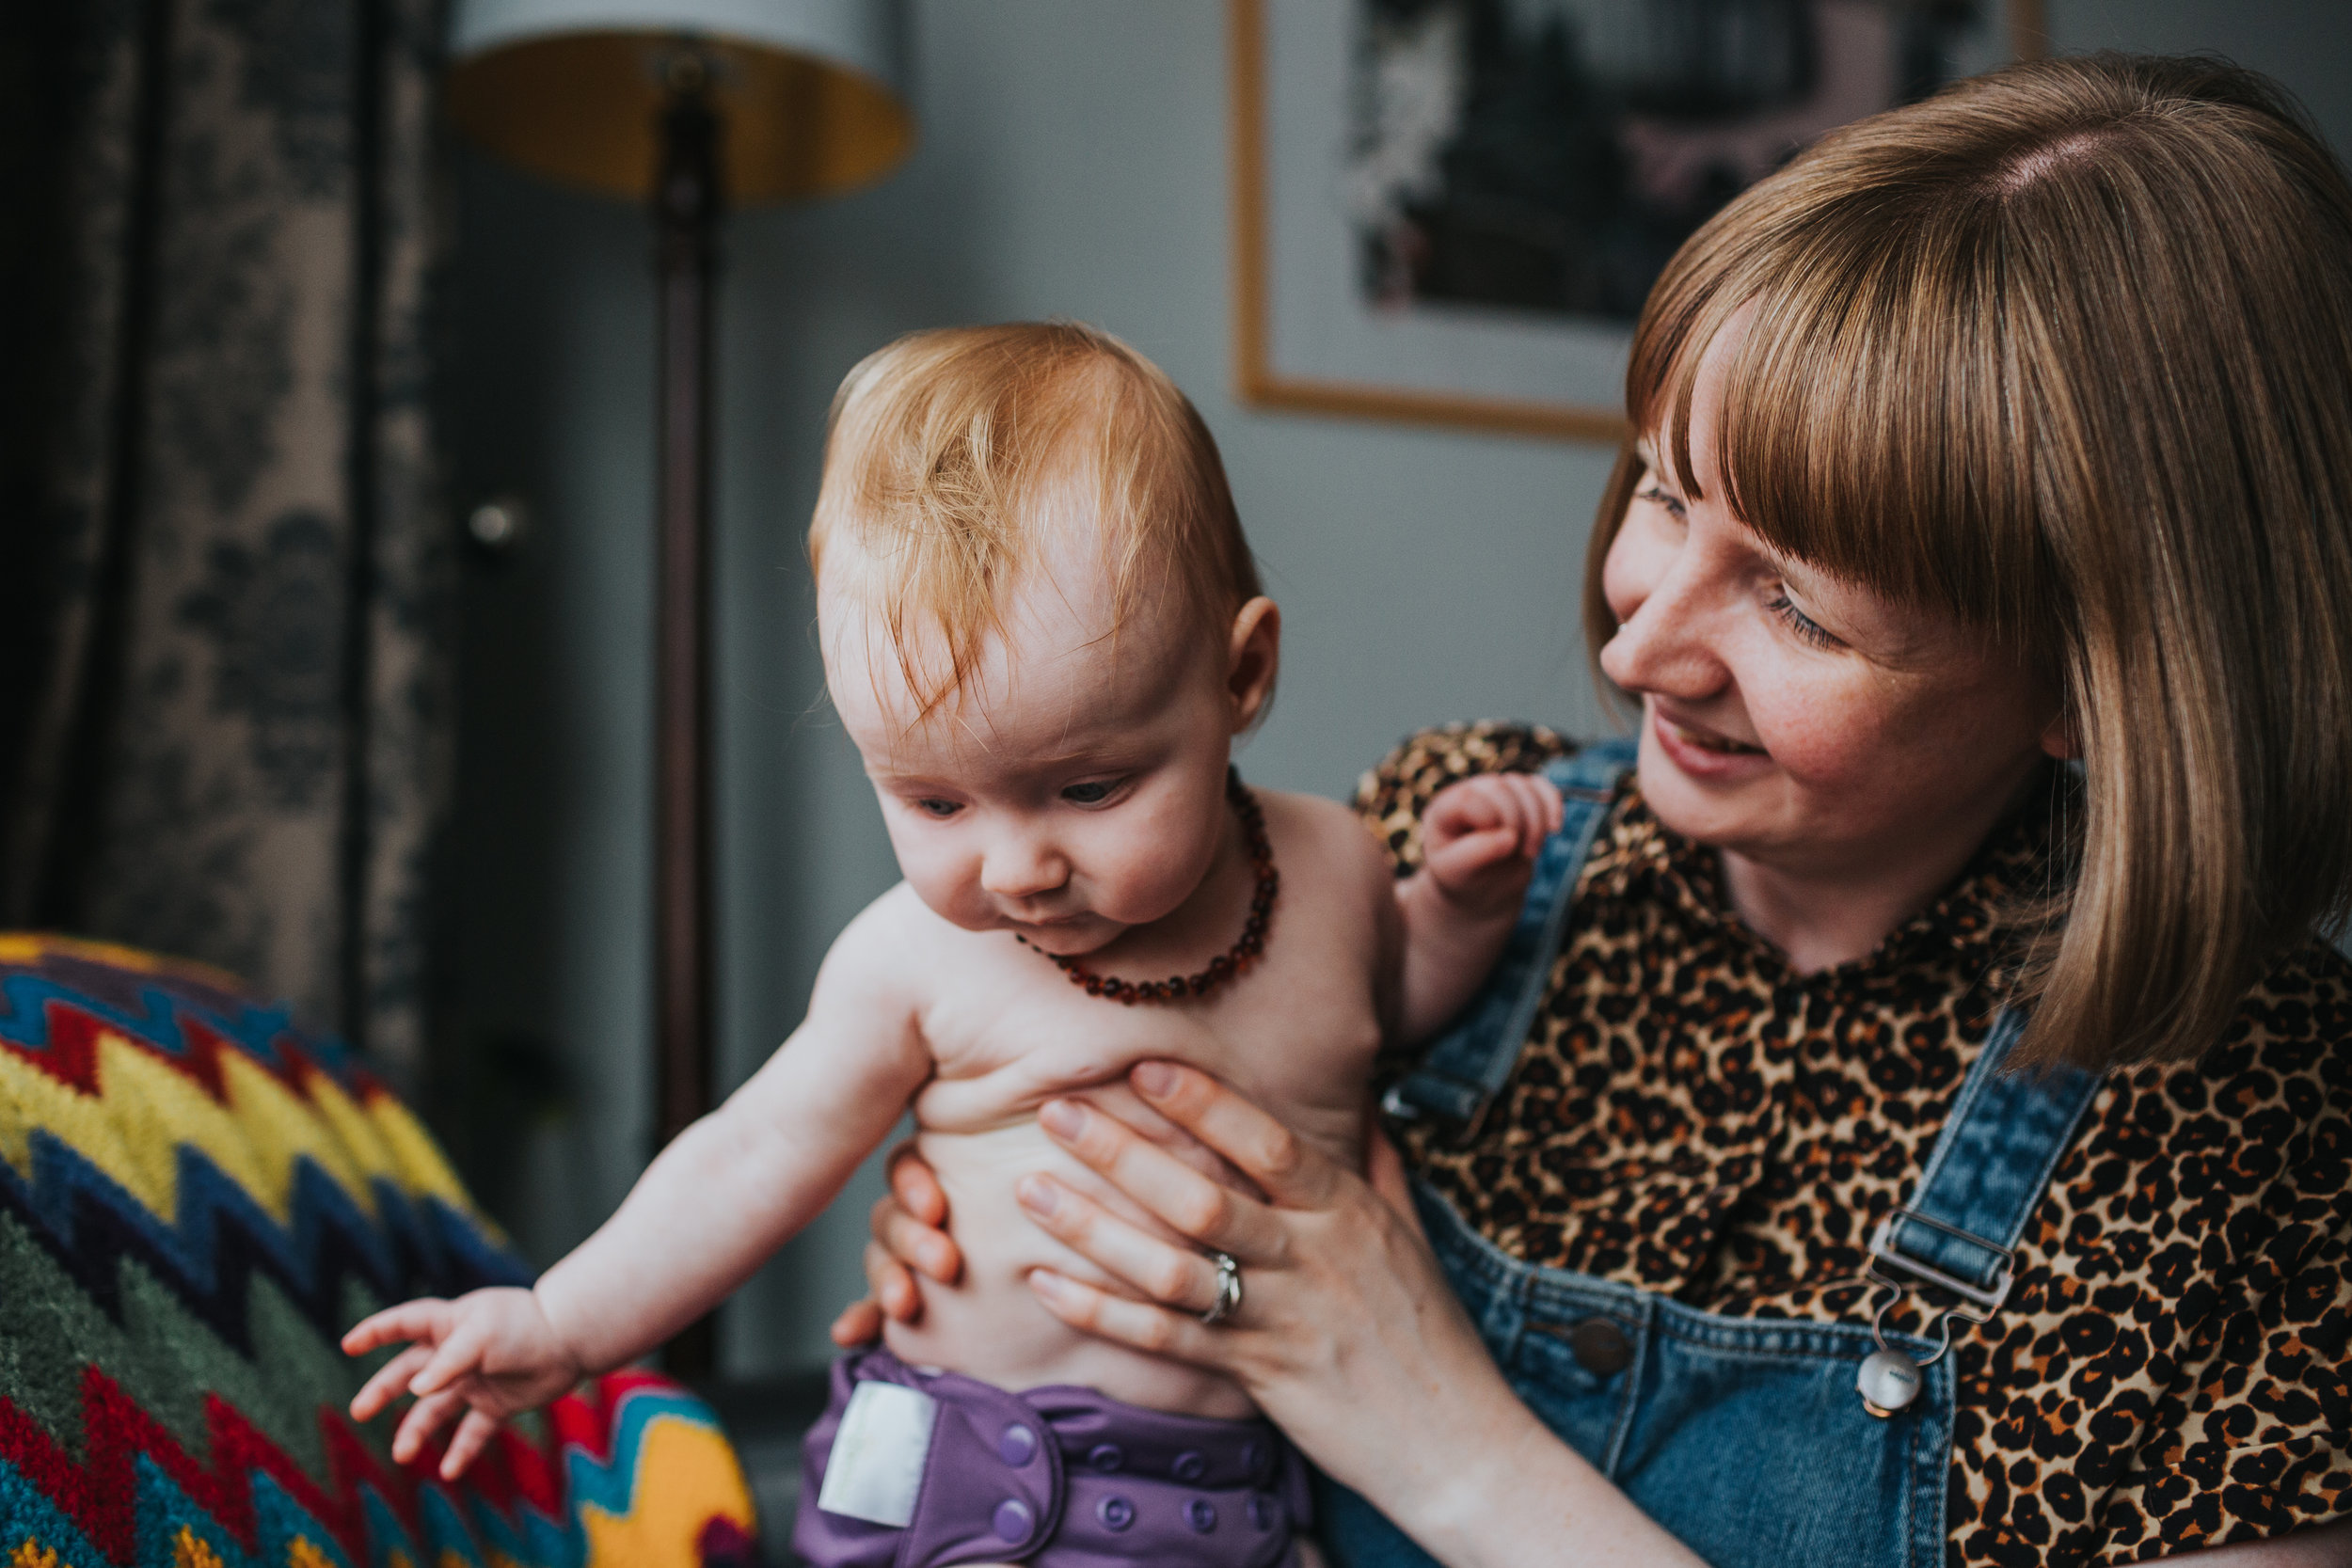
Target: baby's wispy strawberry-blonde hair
pixel 944 450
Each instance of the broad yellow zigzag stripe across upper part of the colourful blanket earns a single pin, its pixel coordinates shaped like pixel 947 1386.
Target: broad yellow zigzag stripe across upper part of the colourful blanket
pixel 147 1108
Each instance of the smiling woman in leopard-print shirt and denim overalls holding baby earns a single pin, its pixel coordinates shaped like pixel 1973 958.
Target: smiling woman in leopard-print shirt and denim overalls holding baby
pixel 1996 434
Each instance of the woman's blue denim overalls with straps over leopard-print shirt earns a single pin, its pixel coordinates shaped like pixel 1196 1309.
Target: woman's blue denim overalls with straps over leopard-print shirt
pixel 1744 1438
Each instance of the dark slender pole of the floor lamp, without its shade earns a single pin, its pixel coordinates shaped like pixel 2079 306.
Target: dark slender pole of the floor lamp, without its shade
pixel 686 215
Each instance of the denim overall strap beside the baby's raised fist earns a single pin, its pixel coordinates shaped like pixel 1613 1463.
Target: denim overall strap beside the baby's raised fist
pixel 1474 1059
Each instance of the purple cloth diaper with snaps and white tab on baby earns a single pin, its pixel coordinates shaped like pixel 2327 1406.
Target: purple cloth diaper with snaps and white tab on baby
pixel 1060 1477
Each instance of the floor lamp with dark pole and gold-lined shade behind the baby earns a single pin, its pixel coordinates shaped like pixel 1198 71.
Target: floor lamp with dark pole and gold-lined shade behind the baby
pixel 695 107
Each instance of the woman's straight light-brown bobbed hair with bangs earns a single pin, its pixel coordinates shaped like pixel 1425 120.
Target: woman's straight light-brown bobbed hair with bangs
pixel 2066 351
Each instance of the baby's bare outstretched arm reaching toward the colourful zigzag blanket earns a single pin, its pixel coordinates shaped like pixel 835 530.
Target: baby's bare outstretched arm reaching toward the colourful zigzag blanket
pixel 726 1195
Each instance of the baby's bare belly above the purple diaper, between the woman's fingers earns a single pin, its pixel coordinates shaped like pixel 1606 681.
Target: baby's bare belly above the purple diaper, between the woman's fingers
pixel 994 1327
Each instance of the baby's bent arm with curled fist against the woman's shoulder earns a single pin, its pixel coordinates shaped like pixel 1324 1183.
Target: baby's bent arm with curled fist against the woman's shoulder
pixel 1478 852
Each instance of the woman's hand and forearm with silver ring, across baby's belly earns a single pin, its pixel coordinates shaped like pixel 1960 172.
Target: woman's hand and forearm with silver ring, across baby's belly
pixel 1349 1334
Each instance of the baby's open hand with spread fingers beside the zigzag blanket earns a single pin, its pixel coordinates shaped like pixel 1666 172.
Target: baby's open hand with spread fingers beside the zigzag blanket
pixel 490 1353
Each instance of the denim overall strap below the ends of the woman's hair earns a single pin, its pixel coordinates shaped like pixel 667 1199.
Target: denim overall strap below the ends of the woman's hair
pixel 1986 1174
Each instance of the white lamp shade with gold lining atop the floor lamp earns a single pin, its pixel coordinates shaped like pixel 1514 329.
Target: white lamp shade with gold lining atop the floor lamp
pixel 573 91
